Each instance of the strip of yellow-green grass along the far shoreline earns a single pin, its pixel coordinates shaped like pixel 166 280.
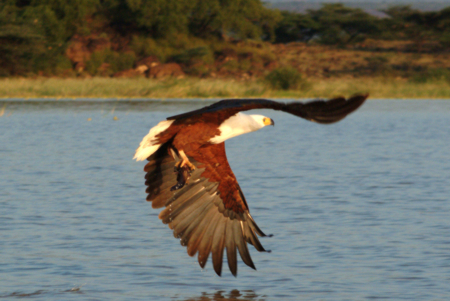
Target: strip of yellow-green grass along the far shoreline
pixel 215 88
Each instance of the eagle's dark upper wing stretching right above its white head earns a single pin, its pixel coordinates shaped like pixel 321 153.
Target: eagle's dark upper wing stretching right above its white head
pixel 321 111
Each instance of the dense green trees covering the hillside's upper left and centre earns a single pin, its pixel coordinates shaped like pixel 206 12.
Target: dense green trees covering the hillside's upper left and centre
pixel 35 34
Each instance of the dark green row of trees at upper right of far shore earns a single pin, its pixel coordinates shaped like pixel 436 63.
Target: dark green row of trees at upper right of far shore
pixel 335 24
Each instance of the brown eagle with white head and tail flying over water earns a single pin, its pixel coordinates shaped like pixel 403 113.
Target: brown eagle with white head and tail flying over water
pixel 188 173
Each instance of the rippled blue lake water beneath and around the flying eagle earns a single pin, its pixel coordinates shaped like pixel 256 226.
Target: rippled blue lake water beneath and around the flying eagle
pixel 359 209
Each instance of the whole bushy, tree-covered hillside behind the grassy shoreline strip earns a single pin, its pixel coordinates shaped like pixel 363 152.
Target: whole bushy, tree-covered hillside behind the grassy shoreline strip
pixel 221 40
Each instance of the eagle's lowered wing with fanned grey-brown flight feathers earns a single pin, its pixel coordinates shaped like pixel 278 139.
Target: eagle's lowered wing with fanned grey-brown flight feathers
pixel 209 214
